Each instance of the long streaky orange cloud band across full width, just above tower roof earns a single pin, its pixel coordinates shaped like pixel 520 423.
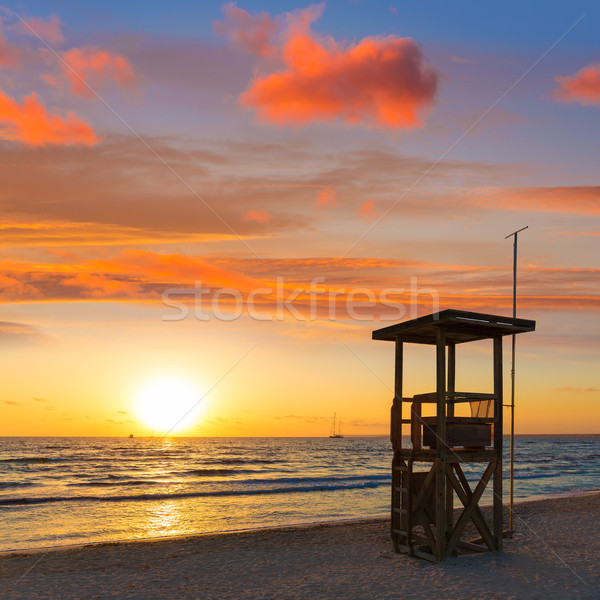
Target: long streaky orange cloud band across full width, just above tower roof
pixel 136 275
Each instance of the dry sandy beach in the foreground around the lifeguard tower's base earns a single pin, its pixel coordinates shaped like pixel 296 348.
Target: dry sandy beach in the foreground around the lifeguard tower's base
pixel 554 554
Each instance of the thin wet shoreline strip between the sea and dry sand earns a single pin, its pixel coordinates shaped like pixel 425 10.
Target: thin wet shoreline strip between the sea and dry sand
pixel 266 528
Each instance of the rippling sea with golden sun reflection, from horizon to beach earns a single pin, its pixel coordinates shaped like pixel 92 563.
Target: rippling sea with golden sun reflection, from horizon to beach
pixel 71 491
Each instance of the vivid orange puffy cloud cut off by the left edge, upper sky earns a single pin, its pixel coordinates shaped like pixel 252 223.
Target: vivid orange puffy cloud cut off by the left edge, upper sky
pixel 30 123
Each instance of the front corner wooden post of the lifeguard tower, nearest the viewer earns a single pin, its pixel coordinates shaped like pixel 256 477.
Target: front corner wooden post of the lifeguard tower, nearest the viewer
pixel 440 463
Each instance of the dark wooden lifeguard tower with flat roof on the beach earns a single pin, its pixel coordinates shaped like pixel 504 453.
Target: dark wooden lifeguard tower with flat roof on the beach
pixel 423 498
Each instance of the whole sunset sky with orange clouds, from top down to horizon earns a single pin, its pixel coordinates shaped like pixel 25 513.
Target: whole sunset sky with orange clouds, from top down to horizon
pixel 292 176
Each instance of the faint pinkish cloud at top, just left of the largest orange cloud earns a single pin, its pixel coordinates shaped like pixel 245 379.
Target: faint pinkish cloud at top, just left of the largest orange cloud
pixel 255 34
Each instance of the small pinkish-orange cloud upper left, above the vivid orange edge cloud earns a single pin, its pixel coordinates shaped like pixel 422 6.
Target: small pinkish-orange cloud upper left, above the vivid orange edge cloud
pixel 91 67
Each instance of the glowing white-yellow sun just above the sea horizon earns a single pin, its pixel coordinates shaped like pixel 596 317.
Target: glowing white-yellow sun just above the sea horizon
pixel 169 404
